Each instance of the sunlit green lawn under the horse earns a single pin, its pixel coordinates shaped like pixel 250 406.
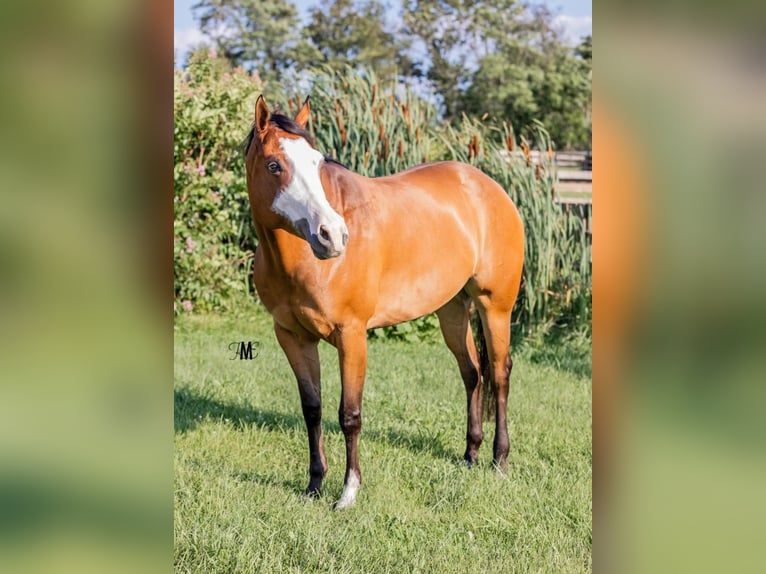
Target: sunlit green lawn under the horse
pixel 241 462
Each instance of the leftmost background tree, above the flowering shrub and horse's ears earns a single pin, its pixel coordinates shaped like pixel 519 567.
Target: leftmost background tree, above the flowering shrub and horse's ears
pixel 260 35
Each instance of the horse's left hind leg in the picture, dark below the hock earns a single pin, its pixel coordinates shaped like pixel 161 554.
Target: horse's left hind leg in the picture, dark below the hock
pixel 455 325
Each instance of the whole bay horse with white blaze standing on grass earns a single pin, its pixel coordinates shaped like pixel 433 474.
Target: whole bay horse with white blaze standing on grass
pixel 340 253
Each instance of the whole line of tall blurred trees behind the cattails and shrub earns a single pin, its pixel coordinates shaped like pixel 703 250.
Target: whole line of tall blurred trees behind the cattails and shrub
pixel 501 57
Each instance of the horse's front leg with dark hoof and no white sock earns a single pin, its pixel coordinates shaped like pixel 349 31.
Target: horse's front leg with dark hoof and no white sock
pixel 303 355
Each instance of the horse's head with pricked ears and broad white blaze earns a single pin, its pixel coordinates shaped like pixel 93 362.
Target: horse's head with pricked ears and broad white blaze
pixel 284 184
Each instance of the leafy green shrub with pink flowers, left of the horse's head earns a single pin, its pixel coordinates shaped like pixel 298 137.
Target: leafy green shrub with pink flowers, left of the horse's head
pixel 213 241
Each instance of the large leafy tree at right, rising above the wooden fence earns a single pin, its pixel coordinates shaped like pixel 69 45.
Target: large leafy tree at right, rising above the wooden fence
pixel 505 58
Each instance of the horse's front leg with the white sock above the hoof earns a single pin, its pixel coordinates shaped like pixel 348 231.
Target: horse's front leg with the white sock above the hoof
pixel 352 351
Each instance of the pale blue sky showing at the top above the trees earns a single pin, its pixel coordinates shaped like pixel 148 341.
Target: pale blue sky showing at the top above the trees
pixel 575 17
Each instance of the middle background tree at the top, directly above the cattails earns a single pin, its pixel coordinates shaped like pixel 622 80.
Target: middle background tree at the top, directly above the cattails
pixel 355 33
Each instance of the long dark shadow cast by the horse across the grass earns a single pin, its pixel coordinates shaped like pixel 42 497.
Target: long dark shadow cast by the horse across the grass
pixel 192 408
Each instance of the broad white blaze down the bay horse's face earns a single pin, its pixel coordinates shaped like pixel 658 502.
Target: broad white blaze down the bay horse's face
pixel 304 197
